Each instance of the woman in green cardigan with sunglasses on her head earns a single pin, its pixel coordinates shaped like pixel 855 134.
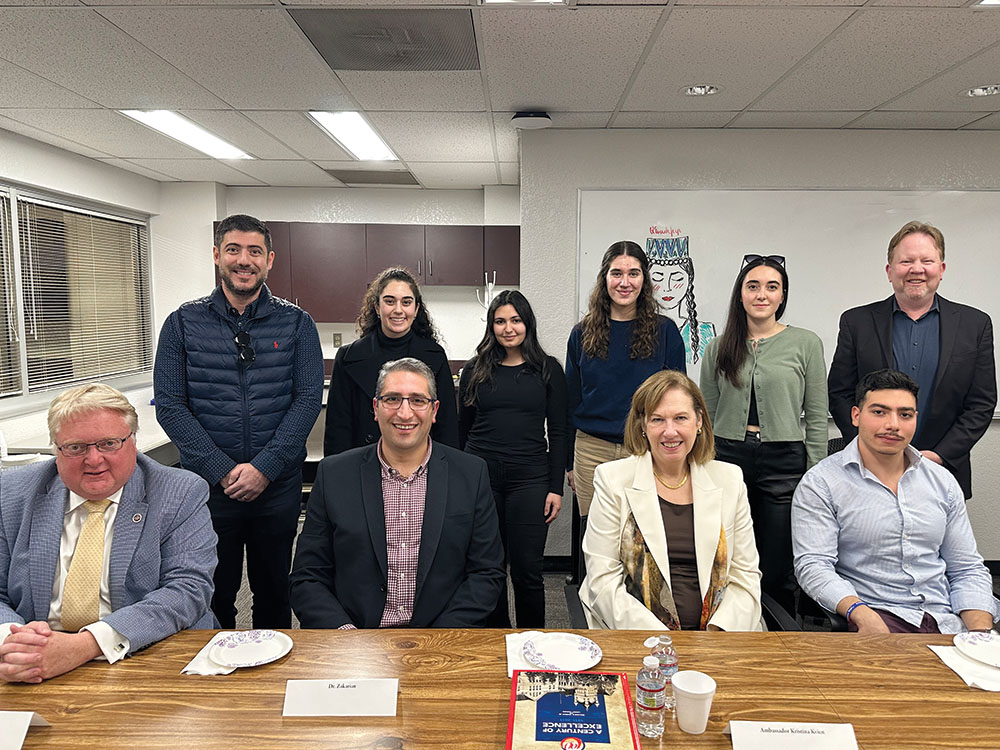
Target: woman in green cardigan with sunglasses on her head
pixel 759 377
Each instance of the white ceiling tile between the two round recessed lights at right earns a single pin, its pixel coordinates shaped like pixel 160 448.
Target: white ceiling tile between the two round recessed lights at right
pixel 880 54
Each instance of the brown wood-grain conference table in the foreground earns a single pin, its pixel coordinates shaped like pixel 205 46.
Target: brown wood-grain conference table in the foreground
pixel 454 692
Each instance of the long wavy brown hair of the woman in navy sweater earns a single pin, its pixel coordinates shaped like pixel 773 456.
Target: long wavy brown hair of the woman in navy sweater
pixel 596 324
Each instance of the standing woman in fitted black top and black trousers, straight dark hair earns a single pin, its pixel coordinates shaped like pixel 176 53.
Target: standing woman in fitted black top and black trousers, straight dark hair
pixel 510 392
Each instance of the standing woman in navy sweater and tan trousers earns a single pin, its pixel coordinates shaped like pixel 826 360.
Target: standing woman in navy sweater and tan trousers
pixel 620 342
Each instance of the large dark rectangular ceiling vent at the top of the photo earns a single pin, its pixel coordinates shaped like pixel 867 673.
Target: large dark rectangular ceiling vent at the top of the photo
pixel 391 39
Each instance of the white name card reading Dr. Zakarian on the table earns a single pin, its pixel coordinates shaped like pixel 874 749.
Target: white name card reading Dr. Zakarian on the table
pixel 341 697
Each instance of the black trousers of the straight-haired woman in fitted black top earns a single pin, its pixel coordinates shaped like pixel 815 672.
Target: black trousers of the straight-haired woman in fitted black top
pixel 519 491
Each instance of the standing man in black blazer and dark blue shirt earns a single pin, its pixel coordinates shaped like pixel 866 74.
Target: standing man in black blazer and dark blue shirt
pixel 946 347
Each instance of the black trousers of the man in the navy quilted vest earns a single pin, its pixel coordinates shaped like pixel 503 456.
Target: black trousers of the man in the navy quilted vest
pixel 266 530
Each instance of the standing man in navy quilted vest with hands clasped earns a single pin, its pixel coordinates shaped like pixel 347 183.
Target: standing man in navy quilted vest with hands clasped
pixel 238 382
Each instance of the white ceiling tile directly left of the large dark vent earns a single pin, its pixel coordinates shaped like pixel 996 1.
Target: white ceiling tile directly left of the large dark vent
pixel 287 71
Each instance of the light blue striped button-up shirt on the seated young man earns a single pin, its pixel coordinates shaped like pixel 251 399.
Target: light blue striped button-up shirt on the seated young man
pixel 907 553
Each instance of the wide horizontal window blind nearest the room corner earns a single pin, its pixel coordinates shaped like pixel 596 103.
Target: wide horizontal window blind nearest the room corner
pixel 85 295
